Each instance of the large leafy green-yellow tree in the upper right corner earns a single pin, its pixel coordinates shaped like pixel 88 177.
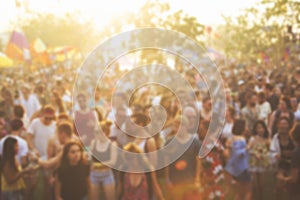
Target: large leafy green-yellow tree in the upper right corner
pixel 259 30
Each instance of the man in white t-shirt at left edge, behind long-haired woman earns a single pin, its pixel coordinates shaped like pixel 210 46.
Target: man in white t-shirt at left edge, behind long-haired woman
pixel 17 127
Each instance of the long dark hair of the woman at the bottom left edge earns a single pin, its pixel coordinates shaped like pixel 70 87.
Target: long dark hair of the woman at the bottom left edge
pixel 9 153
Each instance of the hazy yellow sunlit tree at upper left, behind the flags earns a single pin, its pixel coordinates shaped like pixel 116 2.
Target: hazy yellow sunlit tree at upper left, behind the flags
pixel 60 31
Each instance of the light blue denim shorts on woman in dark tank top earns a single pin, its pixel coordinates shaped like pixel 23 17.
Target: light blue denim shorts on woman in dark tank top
pixel 102 177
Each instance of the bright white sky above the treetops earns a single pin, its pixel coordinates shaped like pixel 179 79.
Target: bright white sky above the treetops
pixel 207 12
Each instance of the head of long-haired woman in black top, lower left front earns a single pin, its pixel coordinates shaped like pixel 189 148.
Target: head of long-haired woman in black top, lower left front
pixel 72 154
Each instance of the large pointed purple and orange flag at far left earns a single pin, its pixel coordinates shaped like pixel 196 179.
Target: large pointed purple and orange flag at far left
pixel 17 47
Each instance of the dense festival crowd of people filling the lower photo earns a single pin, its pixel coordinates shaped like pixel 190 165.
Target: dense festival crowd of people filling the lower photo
pixel 54 148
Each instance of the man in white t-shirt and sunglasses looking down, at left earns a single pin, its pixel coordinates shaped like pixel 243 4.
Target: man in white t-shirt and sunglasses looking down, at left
pixel 40 130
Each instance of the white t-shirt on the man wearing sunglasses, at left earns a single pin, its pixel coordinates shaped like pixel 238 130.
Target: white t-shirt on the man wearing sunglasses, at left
pixel 41 134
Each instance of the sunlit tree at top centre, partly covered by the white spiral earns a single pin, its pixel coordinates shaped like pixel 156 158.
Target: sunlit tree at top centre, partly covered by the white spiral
pixel 158 15
